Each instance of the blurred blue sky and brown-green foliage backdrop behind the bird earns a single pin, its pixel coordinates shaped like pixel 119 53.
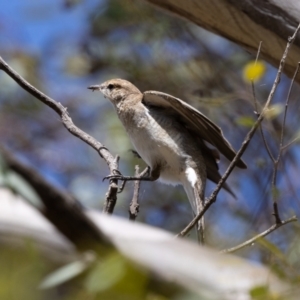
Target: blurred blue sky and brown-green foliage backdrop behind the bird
pixel 61 47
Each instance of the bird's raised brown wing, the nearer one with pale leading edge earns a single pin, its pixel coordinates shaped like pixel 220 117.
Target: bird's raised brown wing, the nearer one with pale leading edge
pixel 195 121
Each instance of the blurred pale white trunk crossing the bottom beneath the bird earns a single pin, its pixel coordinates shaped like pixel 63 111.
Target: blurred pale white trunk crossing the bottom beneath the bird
pixel 200 270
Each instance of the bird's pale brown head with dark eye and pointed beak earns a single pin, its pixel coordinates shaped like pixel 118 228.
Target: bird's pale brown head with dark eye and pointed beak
pixel 116 90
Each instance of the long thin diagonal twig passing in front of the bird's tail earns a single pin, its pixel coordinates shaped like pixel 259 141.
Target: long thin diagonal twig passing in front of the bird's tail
pixel 212 197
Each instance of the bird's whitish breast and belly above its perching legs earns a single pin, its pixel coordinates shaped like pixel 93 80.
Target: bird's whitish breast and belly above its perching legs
pixel 159 142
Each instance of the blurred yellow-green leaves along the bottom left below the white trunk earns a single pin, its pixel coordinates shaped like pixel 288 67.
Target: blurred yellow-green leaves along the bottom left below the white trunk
pixel 110 276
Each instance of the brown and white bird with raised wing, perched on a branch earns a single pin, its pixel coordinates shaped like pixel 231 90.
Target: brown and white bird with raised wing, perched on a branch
pixel 179 144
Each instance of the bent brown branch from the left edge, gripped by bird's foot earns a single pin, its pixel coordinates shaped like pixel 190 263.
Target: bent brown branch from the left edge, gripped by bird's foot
pixel 112 163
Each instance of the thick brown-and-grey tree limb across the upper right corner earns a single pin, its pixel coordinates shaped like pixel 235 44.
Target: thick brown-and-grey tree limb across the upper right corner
pixel 246 23
